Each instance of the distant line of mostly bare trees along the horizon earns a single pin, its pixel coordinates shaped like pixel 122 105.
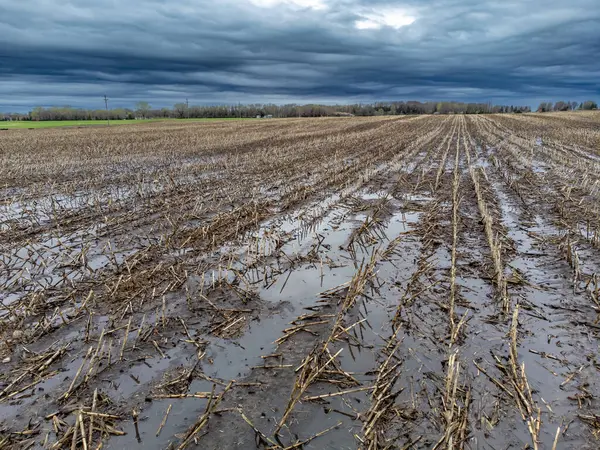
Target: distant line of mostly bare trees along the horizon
pixel 143 110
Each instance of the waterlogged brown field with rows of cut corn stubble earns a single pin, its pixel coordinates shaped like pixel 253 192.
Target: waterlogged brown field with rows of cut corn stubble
pixel 358 283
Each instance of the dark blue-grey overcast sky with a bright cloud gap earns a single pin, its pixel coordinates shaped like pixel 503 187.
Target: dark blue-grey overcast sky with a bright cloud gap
pixel 72 52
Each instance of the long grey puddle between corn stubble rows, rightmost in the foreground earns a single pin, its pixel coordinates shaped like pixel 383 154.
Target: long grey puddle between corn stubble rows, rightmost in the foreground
pixel 544 329
